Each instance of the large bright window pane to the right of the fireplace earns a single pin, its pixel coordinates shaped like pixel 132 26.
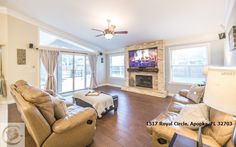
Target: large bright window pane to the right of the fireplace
pixel 187 63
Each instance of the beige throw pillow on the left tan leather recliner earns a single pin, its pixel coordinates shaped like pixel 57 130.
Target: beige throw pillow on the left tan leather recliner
pixel 59 108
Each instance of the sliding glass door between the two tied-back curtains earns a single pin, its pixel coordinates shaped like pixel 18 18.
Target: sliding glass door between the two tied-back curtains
pixel 73 72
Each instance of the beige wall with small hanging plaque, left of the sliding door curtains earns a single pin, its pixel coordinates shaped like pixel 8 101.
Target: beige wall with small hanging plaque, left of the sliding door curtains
pixel 19 35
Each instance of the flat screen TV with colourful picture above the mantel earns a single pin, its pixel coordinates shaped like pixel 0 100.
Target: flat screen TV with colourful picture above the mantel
pixel 143 58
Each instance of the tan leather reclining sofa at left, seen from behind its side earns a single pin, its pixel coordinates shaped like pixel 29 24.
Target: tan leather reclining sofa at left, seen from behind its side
pixel 76 129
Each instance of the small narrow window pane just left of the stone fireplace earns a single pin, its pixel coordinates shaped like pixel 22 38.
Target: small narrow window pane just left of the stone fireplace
pixel 117 66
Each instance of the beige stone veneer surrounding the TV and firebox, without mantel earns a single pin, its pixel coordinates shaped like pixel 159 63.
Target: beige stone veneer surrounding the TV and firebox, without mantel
pixel 158 78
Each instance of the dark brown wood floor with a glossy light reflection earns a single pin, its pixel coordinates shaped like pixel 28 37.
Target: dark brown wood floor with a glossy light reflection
pixel 126 128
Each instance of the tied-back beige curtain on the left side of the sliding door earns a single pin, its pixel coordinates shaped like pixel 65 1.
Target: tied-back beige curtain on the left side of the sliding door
pixel 49 60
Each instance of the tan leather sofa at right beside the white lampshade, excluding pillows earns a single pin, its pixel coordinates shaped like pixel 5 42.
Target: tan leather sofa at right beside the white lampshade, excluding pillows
pixel 214 136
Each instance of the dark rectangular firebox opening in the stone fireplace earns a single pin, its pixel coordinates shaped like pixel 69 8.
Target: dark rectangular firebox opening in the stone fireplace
pixel 143 81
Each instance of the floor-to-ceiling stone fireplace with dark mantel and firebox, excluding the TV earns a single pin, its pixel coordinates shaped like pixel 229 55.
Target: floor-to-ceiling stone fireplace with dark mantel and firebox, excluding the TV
pixel 145 80
